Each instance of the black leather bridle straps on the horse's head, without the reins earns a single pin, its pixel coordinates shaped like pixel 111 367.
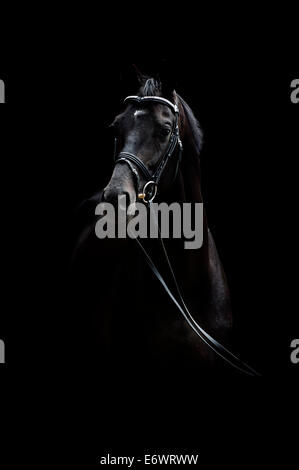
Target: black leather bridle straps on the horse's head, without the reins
pixel 152 180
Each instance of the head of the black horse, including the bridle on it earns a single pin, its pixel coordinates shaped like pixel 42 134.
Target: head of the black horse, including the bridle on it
pixel 148 146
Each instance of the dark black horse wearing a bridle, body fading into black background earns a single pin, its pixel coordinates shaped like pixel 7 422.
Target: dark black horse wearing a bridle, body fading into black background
pixel 130 317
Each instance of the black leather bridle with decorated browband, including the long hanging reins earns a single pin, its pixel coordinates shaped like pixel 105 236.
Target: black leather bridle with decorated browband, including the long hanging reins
pixel 148 195
